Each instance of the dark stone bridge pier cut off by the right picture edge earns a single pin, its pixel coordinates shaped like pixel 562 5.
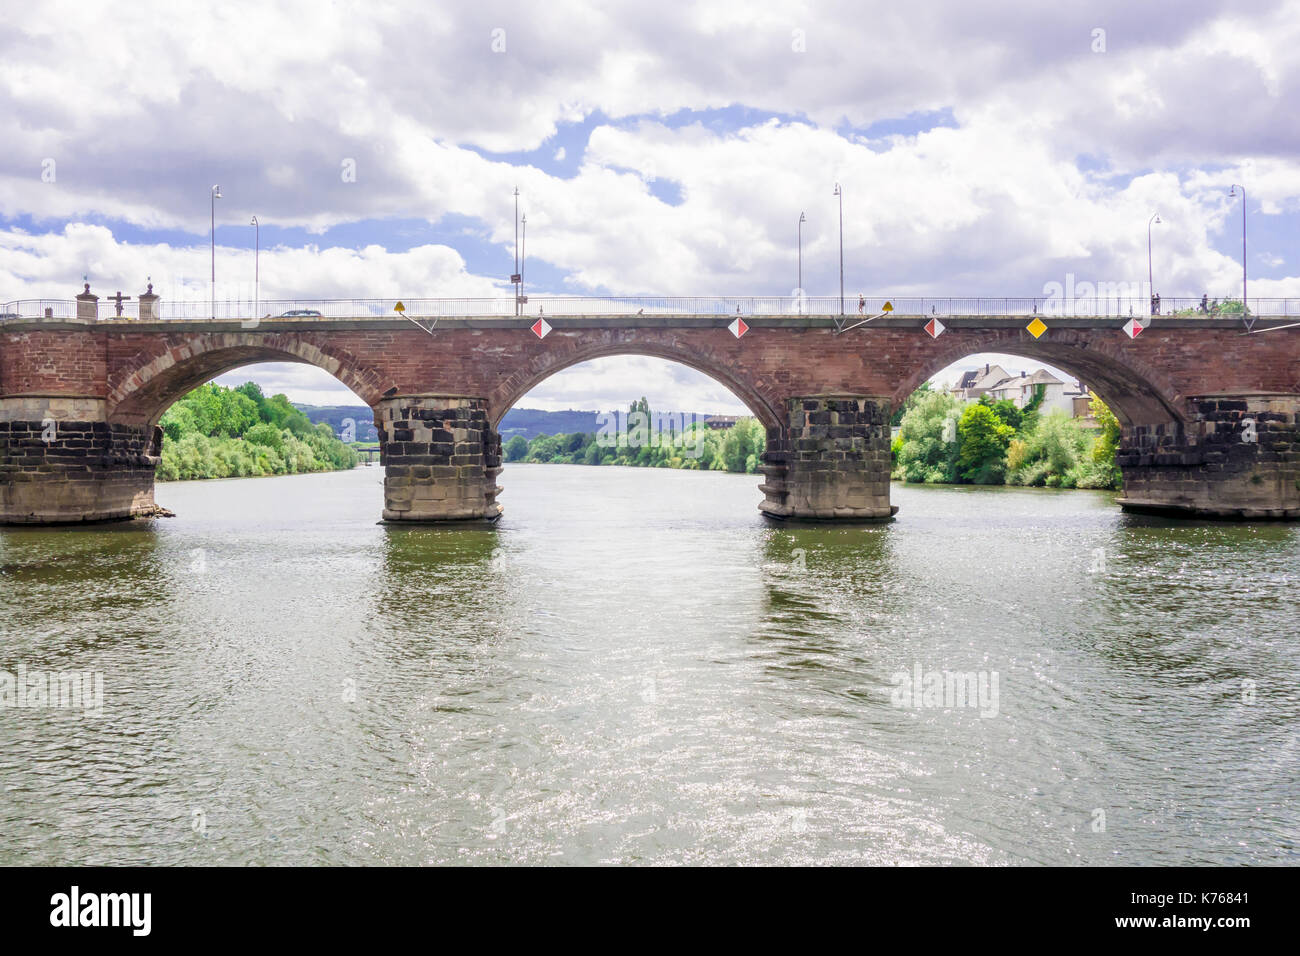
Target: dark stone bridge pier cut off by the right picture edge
pixel 1240 458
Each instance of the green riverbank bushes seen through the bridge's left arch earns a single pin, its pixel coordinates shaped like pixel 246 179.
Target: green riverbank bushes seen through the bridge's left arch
pixel 216 432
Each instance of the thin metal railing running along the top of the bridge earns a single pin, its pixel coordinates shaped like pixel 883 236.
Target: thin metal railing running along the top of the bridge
pixel 668 306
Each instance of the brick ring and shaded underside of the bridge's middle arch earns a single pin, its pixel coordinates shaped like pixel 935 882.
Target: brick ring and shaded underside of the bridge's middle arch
pixel 523 382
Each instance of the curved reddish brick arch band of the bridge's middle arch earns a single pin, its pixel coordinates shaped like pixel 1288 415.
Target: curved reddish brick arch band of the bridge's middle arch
pixel 762 399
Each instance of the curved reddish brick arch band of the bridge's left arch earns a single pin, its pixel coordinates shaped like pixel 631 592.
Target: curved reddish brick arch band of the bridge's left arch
pixel 144 388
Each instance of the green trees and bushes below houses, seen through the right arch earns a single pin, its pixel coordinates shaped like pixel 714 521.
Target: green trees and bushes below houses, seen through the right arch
pixel 986 443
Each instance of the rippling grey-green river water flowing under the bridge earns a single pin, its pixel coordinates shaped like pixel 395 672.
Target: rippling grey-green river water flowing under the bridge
pixel 632 667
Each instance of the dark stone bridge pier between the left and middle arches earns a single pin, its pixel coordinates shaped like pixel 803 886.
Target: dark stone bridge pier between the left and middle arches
pixel 441 458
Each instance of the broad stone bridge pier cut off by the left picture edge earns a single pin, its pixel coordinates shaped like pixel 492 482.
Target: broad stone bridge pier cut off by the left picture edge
pixel 62 462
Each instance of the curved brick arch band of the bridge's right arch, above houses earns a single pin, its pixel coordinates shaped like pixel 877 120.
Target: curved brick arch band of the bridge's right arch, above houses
pixel 1136 392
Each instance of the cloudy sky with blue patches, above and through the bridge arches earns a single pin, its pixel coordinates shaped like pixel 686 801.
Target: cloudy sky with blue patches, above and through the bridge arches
pixel 983 150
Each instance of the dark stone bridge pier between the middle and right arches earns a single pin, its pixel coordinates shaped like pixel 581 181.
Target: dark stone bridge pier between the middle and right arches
pixel 830 461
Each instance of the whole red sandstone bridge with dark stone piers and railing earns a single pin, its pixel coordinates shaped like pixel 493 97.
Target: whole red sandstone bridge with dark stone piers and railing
pixel 1211 410
